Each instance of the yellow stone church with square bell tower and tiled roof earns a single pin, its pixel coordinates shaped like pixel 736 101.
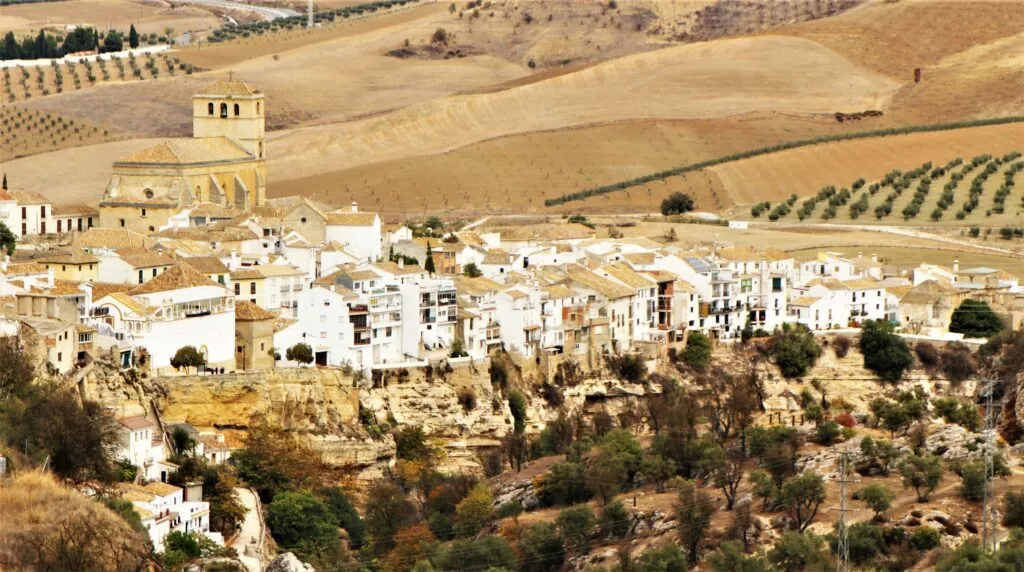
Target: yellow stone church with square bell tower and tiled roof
pixel 224 163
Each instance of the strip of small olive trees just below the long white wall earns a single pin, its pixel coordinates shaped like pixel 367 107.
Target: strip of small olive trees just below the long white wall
pixel 22 83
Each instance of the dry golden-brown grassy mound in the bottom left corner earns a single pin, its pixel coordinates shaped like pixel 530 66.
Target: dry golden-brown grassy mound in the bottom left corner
pixel 45 526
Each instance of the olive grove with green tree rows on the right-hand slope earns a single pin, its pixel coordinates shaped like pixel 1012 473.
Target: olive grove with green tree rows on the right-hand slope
pixel 980 191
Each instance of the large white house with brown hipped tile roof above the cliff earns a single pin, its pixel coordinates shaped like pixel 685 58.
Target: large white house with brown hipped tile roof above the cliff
pixel 180 307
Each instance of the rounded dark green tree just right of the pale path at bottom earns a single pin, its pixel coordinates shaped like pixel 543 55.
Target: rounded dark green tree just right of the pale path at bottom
pixel 302 523
